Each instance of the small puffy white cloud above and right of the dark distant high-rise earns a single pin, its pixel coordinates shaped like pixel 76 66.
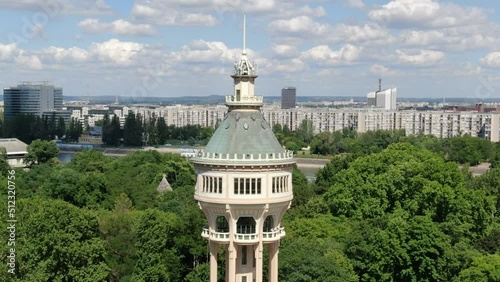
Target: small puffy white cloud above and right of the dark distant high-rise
pixel 325 56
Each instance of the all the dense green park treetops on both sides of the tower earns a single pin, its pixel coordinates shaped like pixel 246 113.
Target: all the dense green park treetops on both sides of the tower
pixel 398 213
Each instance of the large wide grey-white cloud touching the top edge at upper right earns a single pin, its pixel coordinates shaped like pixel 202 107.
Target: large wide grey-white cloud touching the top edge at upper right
pixel 426 14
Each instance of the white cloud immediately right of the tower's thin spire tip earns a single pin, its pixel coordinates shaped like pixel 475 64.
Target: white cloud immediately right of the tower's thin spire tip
pixel 302 24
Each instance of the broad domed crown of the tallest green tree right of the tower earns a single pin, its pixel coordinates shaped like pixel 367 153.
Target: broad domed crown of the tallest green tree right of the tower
pixel 400 176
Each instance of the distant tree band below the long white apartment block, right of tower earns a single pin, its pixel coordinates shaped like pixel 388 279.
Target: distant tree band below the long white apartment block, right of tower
pixel 462 149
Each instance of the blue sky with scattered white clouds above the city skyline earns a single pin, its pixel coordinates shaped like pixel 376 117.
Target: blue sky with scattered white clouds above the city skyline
pixel 175 48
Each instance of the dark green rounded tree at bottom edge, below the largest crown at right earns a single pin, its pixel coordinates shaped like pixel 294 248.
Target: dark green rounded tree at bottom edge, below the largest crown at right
pixel 395 248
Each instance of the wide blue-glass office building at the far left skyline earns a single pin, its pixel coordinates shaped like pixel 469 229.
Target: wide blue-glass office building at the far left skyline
pixel 31 98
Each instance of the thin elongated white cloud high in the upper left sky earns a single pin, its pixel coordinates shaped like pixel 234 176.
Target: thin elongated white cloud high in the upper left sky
pixel 120 27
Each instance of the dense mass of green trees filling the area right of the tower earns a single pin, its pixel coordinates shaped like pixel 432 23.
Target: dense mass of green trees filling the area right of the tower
pixel 403 214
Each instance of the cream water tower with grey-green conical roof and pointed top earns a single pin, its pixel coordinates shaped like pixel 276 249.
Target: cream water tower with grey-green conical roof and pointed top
pixel 244 185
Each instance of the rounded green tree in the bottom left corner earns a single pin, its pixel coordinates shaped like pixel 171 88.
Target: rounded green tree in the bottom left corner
pixel 56 241
